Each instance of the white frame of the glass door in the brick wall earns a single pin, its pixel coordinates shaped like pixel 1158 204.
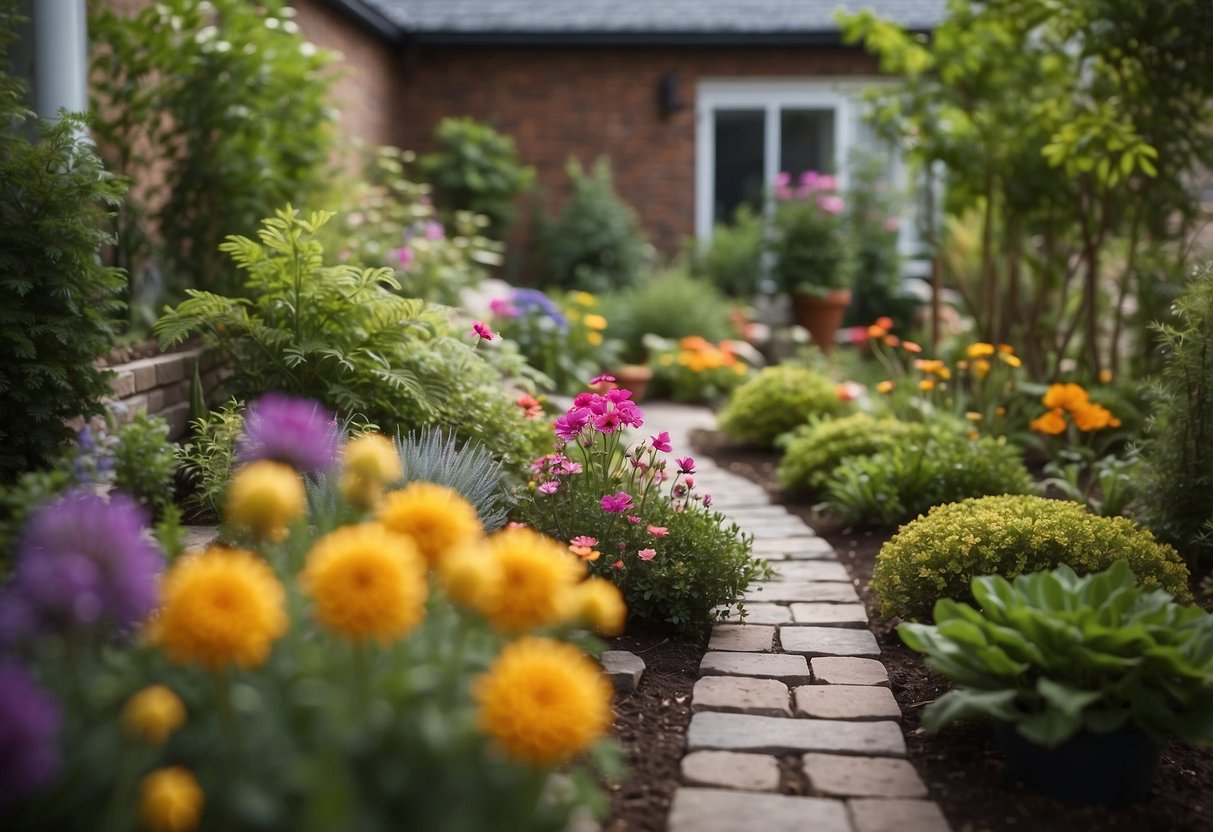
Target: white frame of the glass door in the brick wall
pixel 773 95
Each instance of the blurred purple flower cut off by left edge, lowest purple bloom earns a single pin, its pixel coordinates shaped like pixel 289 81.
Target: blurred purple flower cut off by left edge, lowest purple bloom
pixel 30 727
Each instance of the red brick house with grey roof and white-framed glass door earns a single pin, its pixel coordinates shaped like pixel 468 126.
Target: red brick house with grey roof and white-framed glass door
pixel 697 102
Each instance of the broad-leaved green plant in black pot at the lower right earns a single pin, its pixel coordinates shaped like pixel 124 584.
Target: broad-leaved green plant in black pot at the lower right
pixel 1086 677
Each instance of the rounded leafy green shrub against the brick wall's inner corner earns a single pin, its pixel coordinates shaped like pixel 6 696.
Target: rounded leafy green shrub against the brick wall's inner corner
pixel 476 169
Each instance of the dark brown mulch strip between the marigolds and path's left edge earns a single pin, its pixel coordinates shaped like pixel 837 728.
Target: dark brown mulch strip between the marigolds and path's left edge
pixel 652 726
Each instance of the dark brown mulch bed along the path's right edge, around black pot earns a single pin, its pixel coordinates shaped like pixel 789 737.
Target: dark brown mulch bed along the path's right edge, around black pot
pixel 963 767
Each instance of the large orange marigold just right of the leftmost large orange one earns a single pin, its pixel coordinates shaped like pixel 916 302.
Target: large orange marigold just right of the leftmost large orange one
pixel 367 583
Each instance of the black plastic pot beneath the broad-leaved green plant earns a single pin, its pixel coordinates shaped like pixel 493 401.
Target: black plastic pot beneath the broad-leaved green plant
pixel 1106 770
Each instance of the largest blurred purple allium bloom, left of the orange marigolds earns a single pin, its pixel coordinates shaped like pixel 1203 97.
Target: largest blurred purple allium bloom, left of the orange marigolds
pixel 83 560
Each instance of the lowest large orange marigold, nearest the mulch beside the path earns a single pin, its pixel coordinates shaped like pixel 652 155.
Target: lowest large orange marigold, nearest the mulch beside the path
pixel 543 702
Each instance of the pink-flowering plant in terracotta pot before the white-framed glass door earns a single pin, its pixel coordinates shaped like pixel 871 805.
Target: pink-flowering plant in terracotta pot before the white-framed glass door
pixel 812 255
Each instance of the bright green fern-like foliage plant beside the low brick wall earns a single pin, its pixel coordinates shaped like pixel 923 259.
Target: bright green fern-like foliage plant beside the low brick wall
pixel 334 333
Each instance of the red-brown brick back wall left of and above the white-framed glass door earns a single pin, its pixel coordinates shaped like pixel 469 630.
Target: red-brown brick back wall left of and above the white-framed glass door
pixel 563 102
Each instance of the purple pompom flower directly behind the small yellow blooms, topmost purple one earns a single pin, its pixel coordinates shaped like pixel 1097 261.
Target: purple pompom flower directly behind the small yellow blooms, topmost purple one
pixel 284 429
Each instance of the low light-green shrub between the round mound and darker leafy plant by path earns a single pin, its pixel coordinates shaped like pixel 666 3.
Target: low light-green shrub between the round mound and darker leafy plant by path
pixel 812 452
